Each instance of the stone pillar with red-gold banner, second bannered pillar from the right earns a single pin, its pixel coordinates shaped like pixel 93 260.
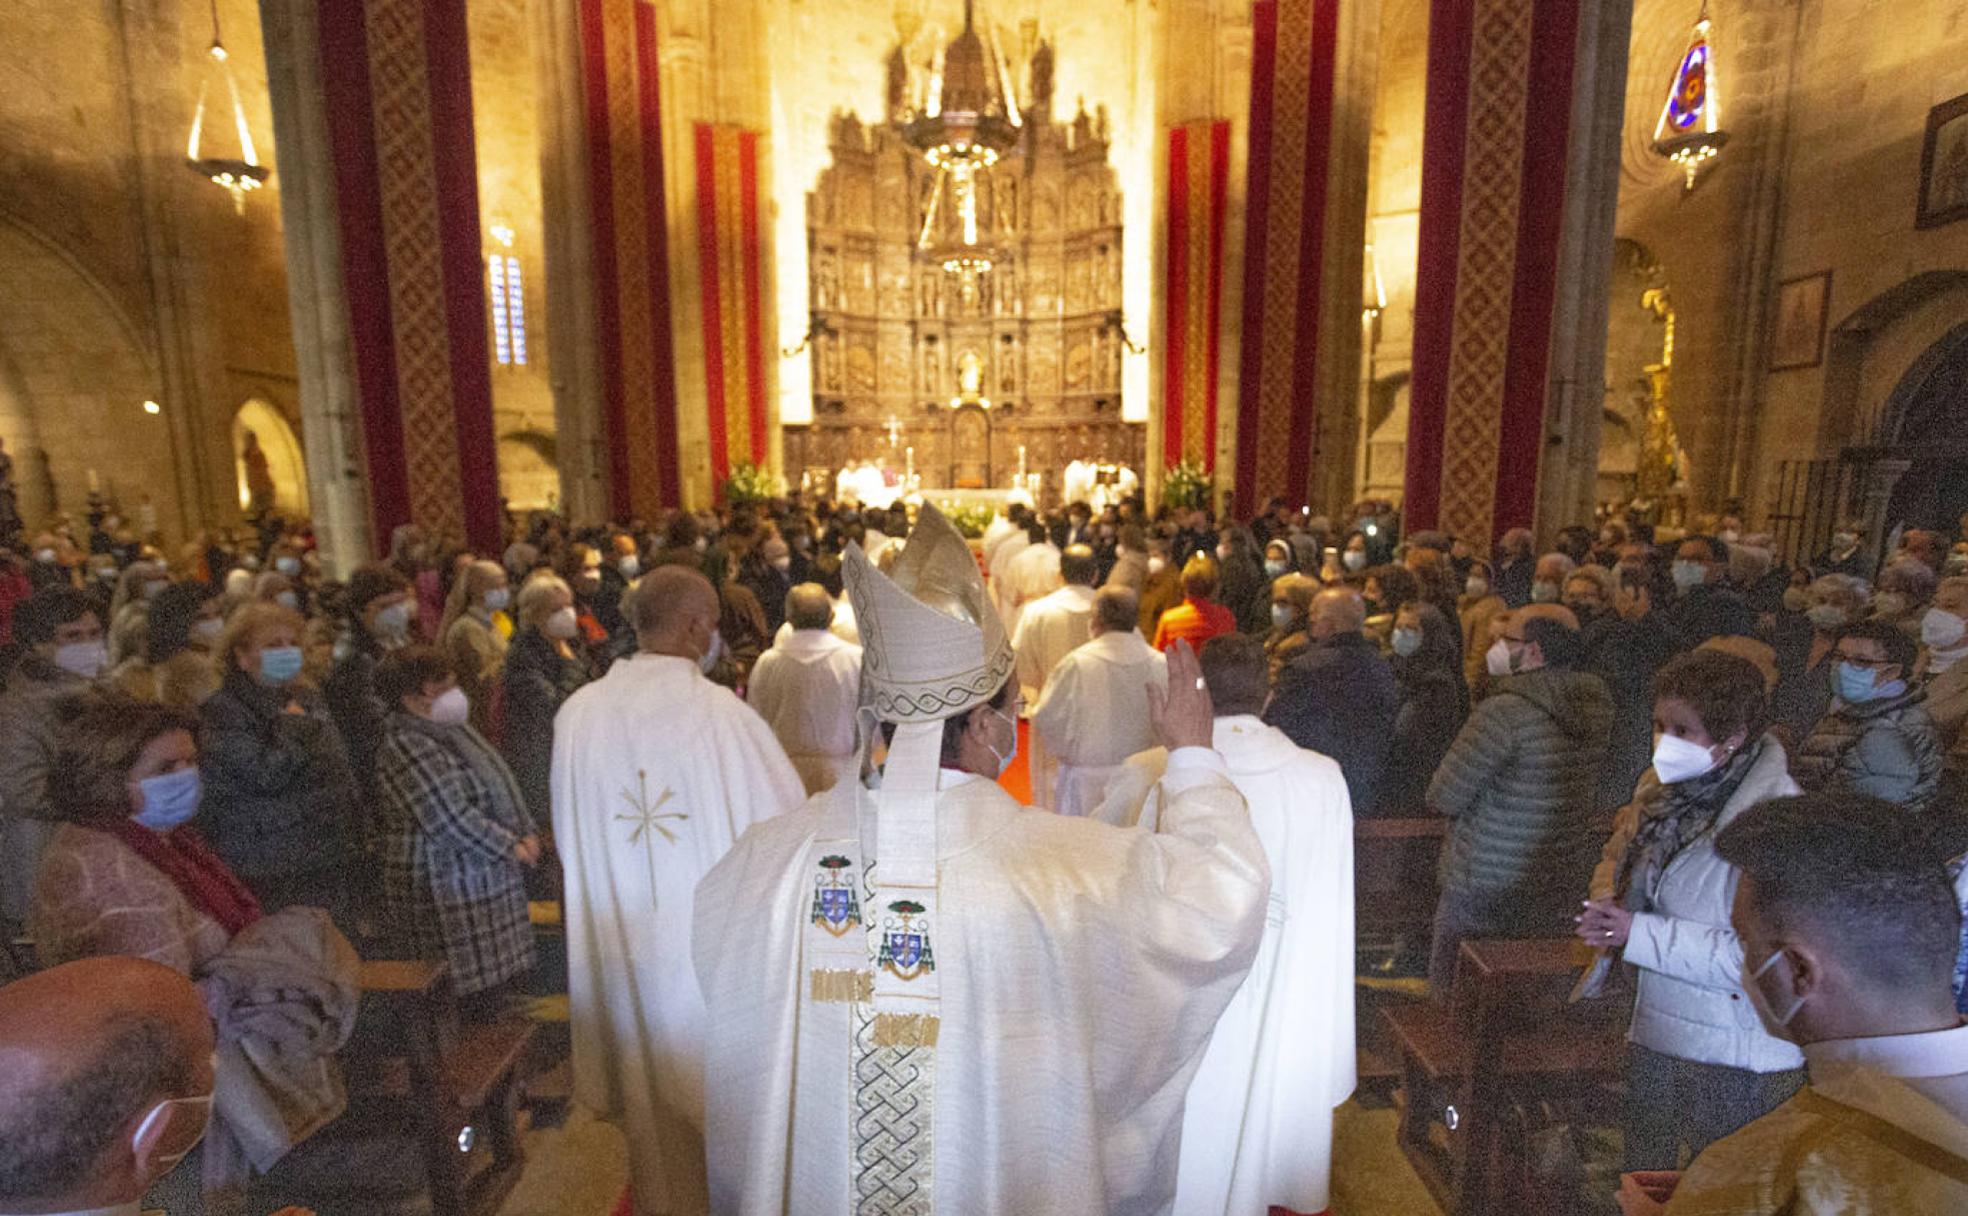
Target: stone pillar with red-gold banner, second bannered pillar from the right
pixel 1312 121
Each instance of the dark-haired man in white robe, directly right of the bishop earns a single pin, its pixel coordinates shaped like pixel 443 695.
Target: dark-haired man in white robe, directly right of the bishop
pixel 1259 1130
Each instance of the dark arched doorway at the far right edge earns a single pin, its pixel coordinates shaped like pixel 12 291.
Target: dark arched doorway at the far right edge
pixel 1926 422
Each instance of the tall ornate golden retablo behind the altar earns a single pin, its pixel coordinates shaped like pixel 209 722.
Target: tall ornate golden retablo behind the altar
pixel 965 332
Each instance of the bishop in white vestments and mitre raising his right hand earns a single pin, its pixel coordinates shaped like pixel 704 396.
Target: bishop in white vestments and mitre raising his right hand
pixel 930 955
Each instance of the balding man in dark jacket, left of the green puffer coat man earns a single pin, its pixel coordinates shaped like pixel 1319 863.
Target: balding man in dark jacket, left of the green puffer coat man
pixel 1339 698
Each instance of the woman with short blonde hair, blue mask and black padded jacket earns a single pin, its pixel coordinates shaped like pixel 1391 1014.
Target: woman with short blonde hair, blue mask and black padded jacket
pixel 280 802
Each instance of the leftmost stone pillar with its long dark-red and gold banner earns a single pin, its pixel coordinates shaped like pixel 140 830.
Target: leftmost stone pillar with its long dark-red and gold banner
pixel 397 328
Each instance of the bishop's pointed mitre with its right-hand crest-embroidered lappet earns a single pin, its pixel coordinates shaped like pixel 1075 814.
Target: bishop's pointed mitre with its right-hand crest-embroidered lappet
pixel 932 648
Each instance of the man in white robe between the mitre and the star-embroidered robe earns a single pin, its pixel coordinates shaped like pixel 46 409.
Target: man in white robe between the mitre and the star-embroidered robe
pixel 808 690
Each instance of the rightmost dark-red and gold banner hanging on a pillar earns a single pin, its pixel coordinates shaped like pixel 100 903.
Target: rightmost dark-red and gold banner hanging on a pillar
pixel 1497 152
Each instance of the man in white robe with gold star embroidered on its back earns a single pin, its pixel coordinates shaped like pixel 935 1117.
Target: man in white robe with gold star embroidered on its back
pixel 656 772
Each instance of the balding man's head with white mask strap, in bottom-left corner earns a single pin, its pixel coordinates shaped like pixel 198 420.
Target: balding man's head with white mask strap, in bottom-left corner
pixel 105 1085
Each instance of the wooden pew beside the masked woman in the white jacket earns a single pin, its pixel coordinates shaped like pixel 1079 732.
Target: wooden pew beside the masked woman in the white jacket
pixel 1507 1042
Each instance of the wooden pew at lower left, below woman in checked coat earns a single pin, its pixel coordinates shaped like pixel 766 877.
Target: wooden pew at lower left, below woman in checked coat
pixel 418 1067
